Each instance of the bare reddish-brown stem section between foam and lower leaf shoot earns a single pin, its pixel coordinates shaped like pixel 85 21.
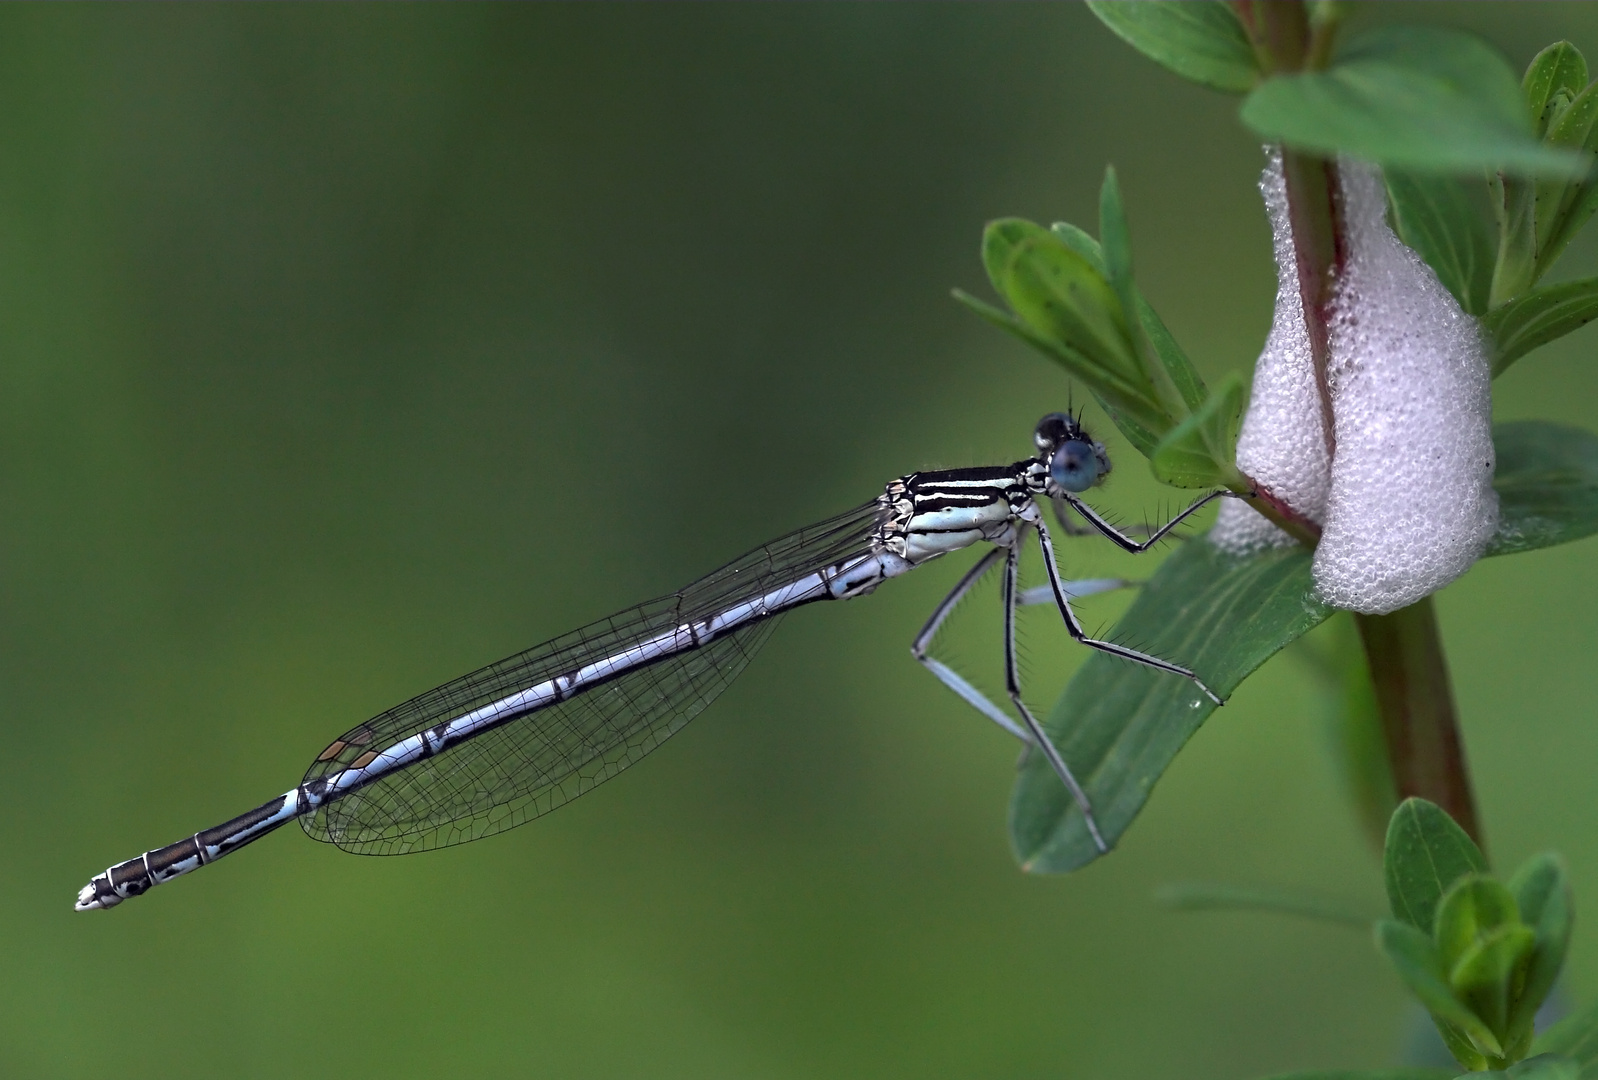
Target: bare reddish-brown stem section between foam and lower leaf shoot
pixel 1417 705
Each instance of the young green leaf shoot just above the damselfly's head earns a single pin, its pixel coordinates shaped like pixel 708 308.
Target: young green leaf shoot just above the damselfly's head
pixel 1075 300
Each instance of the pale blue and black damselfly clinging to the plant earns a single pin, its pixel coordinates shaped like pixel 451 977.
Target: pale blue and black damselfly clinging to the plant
pixel 512 742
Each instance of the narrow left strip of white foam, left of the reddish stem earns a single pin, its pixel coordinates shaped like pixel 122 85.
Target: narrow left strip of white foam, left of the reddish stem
pixel 1281 445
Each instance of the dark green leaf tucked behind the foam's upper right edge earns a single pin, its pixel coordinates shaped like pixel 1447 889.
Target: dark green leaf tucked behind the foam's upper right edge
pixel 1449 221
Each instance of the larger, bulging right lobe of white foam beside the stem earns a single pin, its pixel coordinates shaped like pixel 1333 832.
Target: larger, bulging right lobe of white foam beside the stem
pixel 1412 504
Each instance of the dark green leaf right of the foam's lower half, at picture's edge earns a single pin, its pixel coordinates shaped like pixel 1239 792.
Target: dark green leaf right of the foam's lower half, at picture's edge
pixel 1548 485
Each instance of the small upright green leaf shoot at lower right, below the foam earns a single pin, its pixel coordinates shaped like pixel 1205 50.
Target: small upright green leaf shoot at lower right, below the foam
pixel 1481 955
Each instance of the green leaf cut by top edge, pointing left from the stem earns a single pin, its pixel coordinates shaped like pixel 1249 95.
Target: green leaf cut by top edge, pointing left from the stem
pixel 1202 42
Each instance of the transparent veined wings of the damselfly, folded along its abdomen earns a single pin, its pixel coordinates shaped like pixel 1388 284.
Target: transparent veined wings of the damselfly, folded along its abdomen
pixel 517 772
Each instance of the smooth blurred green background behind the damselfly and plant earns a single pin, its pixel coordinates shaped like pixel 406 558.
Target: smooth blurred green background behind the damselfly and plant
pixel 348 349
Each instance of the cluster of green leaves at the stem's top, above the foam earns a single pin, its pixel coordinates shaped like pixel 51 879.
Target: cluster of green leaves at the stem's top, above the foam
pixel 1490 177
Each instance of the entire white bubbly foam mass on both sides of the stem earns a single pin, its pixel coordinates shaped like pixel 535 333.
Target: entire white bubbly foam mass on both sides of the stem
pixel 1407 502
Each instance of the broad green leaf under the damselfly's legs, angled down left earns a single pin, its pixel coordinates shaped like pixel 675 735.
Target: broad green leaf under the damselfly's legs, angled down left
pixel 1121 725
